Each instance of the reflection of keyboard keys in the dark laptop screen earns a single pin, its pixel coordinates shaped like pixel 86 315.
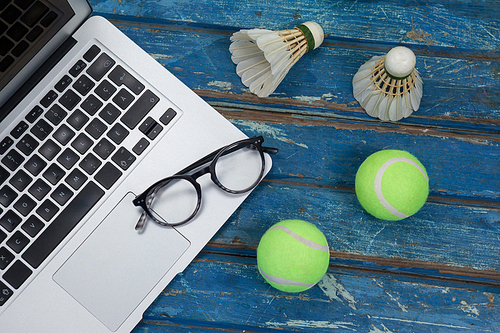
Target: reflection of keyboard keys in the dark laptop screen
pixel 22 22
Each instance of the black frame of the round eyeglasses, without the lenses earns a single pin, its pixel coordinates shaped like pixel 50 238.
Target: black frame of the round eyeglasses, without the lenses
pixel 212 158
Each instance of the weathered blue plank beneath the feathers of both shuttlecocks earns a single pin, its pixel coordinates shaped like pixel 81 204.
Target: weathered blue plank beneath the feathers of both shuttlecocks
pixel 459 94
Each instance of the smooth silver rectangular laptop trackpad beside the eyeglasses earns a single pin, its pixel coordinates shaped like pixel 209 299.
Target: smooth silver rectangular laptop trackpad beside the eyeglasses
pixel 114 269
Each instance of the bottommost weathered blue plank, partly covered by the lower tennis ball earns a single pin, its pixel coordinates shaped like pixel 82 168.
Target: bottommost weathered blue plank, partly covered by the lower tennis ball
pixel 237 299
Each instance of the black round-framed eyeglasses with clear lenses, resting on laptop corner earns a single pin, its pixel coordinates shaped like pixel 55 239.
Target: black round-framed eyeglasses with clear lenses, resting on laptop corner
pixel 236 168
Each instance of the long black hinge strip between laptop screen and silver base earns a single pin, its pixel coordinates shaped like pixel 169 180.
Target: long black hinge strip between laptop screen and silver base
pixel 40 73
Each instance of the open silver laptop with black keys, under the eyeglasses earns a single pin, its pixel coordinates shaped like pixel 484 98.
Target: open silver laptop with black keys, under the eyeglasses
pixel 88 122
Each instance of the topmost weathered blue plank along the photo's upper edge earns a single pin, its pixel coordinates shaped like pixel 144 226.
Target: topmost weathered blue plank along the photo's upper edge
pixel 466 24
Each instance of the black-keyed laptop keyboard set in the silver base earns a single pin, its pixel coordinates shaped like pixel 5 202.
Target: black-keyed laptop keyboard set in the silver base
pixel 59 161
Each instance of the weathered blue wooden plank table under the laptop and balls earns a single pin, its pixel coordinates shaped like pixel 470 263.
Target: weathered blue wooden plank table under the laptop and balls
pixel 437 271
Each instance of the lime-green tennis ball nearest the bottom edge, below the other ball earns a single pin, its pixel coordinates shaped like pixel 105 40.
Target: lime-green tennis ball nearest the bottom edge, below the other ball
pixel 293 255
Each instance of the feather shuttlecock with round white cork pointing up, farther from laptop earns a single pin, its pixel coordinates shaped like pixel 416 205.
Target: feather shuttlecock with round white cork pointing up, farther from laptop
pixel 389 87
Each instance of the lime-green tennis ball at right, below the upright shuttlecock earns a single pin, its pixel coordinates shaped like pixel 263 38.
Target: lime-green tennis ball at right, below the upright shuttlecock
pixel 392 185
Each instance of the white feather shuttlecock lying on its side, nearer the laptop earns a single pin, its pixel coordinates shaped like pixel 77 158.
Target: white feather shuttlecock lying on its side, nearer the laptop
pixel 264 57
